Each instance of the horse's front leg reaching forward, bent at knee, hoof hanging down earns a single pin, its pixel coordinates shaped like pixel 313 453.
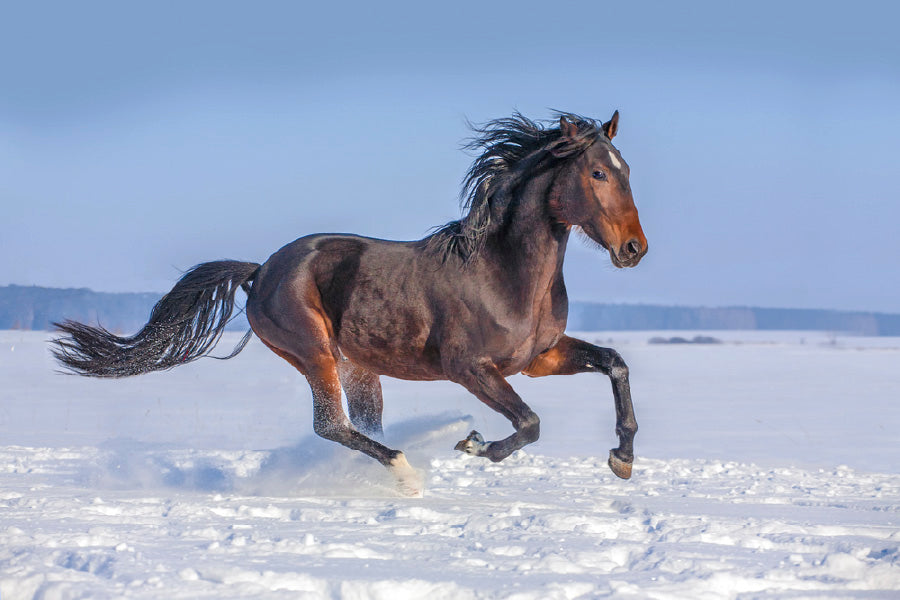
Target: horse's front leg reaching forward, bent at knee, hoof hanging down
pixel 570 356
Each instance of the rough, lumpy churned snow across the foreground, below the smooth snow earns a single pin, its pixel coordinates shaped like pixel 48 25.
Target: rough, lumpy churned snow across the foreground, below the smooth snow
pixel 532 527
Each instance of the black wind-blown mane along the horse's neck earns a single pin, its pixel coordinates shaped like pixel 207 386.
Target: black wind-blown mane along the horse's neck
pixel 510 148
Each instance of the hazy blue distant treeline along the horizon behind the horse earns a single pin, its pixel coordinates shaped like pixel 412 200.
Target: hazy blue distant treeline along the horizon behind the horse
pixel 34 307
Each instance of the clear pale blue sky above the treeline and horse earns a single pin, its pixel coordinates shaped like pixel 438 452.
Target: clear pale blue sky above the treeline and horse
pixel 763 137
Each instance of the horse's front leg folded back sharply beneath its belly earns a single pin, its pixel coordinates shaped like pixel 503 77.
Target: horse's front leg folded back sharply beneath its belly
pixel 487 383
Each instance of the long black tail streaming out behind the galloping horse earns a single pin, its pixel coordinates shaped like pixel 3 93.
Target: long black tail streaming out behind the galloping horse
pixel 185 325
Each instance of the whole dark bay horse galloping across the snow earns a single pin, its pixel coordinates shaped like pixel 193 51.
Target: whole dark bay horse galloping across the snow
pixel 479 299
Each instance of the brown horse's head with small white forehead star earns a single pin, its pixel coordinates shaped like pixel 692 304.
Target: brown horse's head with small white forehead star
pixel 592 192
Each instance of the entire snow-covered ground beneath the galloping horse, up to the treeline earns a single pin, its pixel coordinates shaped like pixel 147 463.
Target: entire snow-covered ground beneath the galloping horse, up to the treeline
pixel 767 466
